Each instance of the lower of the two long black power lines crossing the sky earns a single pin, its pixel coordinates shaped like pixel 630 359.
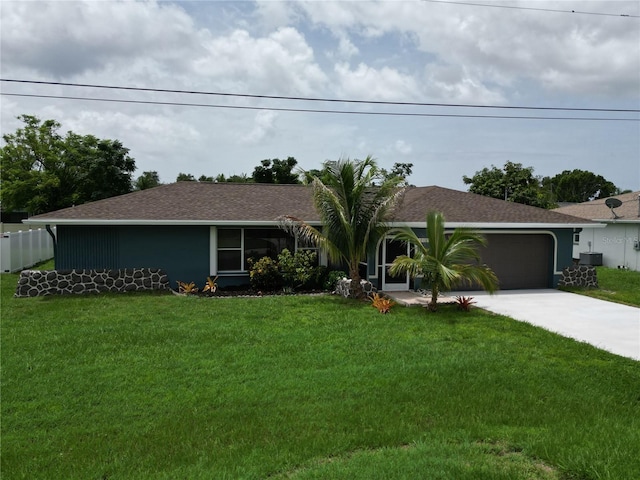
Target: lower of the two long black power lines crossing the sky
pixel 309 110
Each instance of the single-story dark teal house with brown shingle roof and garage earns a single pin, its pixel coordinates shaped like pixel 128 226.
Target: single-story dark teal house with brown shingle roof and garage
pixel 193 230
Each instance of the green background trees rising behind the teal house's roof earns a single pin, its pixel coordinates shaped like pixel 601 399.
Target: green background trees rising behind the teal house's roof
pixel 43 170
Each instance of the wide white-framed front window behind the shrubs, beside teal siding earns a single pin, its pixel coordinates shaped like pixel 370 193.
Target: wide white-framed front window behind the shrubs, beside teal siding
pixel 236 245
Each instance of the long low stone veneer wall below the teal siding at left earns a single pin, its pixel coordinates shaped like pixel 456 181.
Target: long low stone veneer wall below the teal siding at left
pixel 33 283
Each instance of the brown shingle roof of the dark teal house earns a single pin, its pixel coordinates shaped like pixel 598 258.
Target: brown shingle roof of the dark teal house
pixel 254 202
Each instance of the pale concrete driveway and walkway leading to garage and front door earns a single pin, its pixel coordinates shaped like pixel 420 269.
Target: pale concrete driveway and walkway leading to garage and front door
pixel 606 325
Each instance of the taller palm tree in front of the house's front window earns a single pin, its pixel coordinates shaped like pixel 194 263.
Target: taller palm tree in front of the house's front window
pixel 353 200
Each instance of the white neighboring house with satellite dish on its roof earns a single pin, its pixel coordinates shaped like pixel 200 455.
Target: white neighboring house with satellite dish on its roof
pixel 618 242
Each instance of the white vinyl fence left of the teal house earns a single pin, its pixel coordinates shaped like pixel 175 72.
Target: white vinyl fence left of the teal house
pixel 24 249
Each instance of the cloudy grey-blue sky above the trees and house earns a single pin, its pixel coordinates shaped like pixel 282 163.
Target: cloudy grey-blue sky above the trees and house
pixel 529 53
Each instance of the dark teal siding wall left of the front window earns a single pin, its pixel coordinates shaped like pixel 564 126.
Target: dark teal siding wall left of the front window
pixel 182 251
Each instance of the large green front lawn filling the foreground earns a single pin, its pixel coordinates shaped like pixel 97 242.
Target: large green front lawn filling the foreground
pixel 152 386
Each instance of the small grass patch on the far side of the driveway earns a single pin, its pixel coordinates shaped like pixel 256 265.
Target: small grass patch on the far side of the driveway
pixel 621 286
